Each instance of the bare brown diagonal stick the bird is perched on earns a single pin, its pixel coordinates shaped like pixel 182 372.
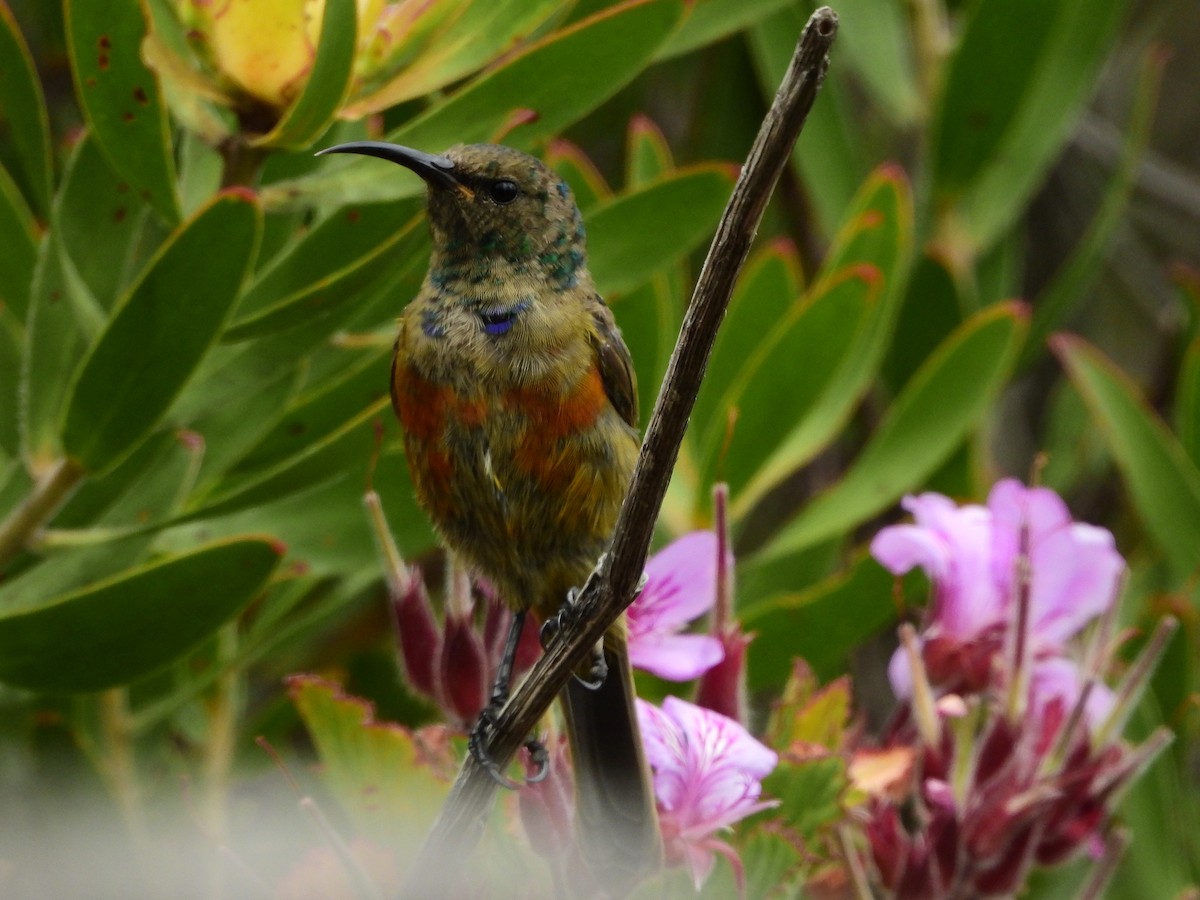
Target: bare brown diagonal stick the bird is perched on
pixel 610 590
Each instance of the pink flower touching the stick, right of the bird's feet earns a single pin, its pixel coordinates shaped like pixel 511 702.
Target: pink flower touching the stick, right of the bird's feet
pixel 681 586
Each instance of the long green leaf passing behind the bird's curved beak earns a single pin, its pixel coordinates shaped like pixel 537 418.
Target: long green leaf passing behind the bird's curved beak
pixel 561 79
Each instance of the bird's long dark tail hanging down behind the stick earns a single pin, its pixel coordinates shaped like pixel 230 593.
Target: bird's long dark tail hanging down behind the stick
pixel 617 826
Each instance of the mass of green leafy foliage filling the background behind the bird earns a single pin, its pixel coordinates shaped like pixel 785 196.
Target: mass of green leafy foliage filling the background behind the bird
pixel 196 314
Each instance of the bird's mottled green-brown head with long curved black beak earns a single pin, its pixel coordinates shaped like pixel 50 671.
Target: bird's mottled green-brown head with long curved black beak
pixel 494 208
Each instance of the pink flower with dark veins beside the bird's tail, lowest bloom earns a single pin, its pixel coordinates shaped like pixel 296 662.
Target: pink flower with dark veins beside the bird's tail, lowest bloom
pixel 707 776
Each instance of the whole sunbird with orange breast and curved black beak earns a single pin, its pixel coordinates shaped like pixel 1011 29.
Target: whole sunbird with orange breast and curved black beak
pixel 518 401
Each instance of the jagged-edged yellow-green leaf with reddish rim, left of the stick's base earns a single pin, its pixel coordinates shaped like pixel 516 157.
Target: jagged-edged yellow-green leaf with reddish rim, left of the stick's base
pixel 381 773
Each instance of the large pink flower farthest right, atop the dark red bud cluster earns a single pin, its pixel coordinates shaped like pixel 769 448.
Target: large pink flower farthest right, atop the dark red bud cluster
pixel 971 553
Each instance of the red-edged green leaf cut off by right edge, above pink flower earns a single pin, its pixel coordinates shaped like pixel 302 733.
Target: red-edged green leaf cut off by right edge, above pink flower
pixel 1163 483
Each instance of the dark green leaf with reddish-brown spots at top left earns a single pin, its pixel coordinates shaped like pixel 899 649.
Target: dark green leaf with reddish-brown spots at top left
pixel 122 100
